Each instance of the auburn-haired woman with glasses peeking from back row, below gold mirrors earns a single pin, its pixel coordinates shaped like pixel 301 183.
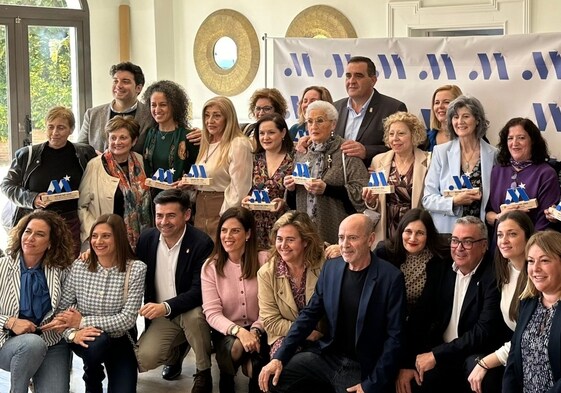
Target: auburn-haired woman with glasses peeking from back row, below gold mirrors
pixel 262 102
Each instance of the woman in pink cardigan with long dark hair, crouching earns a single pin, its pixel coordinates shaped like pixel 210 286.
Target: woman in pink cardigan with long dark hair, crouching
pixel 229 286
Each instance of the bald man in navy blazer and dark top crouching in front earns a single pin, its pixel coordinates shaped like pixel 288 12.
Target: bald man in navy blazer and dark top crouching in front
pixel 363 299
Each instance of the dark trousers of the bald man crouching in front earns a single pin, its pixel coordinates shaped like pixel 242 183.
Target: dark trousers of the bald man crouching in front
pixel 312 371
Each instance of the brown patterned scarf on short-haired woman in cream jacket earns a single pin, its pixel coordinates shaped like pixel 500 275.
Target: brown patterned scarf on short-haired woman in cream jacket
pixel 135 193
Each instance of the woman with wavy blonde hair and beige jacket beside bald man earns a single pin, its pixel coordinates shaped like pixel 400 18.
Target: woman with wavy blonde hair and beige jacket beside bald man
pixel 287 281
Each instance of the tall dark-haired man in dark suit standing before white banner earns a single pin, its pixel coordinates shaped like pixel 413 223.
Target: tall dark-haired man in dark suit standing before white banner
pixel 361 114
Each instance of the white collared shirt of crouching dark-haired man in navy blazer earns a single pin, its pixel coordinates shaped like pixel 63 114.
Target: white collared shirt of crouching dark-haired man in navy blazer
pixel 166 265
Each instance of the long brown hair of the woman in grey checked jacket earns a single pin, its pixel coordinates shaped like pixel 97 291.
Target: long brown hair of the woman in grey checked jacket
pixel 122 247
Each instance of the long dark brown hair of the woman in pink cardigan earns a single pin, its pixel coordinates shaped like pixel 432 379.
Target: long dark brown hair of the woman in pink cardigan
pixel 250 262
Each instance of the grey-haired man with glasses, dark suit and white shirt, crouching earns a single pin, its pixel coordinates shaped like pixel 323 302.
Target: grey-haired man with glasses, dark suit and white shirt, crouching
pixel 464 319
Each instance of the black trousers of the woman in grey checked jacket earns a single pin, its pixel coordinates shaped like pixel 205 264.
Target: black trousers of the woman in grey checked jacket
pixel 120 363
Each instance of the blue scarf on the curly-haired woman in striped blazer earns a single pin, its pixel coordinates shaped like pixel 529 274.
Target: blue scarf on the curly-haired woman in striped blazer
pixel 35 300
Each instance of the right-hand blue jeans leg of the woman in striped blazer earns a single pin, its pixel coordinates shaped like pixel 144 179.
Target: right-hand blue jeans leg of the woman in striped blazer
pixel 53 376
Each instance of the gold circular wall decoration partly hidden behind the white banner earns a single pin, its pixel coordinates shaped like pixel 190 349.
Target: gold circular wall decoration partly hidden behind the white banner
pixel 321 21
